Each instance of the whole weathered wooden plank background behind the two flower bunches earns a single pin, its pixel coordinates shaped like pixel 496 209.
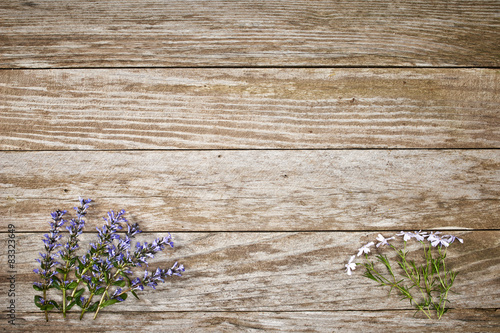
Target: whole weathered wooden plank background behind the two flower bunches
pixel 272 138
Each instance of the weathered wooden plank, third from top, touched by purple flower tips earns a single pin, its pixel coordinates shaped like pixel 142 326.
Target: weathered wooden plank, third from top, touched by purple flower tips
pixel 259 190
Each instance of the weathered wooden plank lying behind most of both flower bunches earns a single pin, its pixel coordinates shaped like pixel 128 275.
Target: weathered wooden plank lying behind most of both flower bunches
pixel 301 271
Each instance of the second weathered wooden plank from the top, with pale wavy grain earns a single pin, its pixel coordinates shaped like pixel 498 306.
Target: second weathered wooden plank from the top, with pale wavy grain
pixel 249 108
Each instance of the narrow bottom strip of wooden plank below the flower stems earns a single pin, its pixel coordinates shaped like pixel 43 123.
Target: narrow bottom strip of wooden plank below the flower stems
pixel 325 321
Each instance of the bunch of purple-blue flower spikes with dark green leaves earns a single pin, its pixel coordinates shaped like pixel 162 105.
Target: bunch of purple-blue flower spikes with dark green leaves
pixel 105 270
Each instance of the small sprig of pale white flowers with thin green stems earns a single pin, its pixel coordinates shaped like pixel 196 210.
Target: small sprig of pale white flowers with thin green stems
pixel 432 280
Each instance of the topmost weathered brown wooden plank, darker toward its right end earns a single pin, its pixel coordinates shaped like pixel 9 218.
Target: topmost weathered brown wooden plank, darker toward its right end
pixel 114 33
